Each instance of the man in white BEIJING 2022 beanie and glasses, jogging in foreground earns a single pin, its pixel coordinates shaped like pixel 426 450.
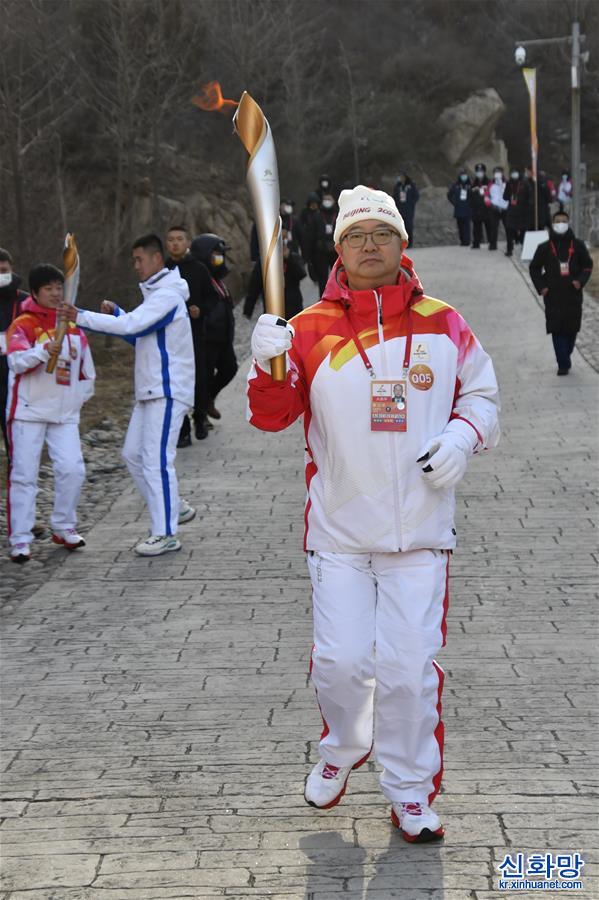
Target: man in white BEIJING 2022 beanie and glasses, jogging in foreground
pixel 379 520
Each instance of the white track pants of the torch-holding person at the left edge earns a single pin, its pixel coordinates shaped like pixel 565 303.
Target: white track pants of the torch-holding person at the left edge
pixel 64 447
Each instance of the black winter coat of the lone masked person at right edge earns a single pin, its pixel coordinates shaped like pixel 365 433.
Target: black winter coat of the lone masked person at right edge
pixel 563 302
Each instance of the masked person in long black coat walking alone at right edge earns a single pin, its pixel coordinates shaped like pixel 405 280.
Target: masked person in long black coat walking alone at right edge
pixel 559 270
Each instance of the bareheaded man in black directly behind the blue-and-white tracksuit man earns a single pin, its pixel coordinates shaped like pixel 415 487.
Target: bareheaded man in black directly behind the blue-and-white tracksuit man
pixel 197 277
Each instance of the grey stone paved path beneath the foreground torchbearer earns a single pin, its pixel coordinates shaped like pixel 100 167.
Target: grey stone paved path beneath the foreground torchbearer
pixel 158 720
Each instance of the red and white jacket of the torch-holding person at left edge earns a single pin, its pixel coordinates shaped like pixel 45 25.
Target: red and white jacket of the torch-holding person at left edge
pixel 33 394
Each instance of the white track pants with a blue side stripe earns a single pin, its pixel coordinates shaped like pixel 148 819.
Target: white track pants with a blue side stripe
pixel 149 451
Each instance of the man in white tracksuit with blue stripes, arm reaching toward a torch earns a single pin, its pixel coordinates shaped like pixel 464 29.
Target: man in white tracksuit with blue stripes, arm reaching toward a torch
pixel 164 387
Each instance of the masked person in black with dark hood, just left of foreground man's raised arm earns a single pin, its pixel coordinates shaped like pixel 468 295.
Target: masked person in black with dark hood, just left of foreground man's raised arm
pixel 219 322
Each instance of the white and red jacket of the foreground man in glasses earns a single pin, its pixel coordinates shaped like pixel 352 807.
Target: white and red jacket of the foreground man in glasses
pixel 366 492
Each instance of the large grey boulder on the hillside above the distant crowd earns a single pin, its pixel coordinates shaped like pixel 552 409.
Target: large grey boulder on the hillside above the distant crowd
pixel 468 130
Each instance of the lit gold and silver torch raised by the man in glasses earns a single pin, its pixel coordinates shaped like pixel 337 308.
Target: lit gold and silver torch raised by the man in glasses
pixel 254 132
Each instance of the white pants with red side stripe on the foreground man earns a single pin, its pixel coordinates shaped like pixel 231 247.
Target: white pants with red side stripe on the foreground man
pixel 378 621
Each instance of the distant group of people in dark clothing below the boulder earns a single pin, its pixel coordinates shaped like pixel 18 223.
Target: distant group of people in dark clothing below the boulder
pixel 481 204
